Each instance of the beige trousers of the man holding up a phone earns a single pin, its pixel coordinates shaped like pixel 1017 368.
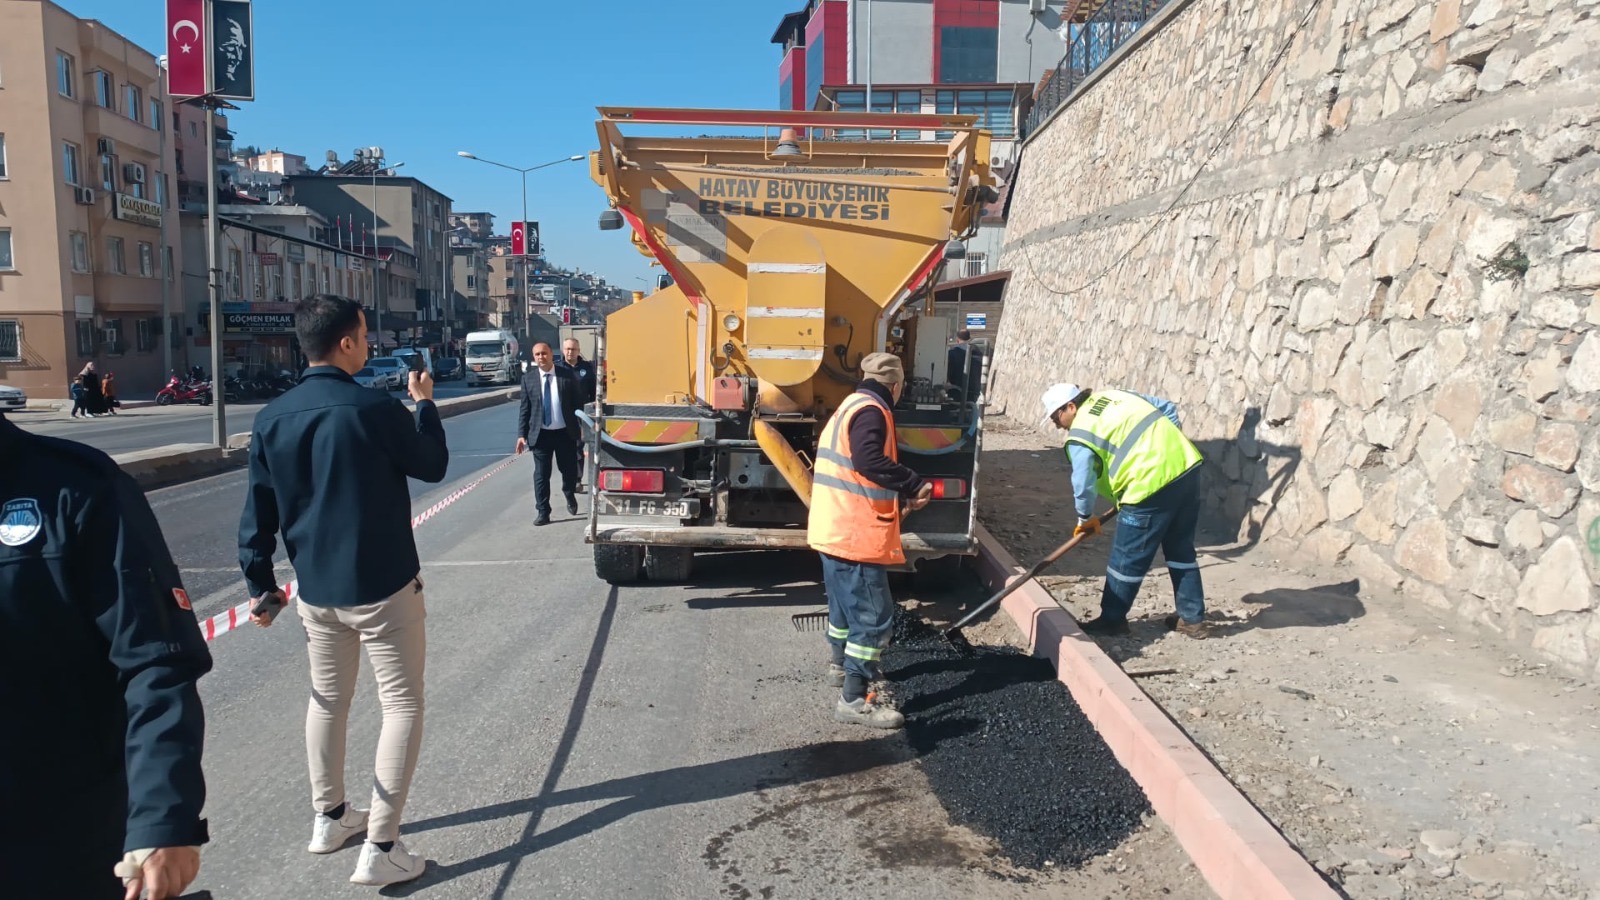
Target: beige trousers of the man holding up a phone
pixel 396 643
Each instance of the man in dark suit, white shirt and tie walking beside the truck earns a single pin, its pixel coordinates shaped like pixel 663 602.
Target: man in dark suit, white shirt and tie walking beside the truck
pixel 548 424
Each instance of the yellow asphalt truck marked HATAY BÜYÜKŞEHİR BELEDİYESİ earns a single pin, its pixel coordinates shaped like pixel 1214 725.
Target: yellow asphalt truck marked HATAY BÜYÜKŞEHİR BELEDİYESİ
pixel 796 244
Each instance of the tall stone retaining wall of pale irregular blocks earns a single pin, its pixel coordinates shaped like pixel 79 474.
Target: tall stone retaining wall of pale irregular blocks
pixel 1367 275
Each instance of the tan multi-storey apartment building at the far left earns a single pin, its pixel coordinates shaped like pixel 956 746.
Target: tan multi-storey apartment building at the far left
pixel 86 222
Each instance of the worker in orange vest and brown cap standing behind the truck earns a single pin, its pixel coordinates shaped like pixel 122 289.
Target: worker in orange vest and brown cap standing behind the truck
pixel 858 491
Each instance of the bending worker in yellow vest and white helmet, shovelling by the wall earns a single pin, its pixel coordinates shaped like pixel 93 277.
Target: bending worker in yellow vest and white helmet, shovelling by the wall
pixel 1132 449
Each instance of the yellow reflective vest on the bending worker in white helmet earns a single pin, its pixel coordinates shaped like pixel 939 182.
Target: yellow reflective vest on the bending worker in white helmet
pixel 1140 449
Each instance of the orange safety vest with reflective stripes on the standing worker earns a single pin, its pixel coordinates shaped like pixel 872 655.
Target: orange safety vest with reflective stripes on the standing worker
pixel 854 518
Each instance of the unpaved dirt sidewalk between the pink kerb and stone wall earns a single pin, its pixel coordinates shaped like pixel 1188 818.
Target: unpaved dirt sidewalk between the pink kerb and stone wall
pixel 1404 753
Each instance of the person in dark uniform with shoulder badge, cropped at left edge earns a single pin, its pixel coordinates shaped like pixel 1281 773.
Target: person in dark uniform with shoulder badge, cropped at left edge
pixel 100 654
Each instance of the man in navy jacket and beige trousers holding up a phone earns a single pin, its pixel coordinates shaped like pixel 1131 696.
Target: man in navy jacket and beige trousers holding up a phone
pixel 329 467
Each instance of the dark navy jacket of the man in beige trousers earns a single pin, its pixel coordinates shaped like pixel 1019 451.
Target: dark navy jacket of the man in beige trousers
pixel 329 465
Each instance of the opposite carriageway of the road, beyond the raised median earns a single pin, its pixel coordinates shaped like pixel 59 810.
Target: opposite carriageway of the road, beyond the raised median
pixel 159 427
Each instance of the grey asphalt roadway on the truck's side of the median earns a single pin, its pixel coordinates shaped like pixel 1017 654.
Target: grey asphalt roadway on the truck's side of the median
pixel 582 741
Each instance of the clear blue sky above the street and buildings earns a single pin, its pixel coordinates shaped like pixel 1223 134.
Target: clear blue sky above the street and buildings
pixel 513 81
